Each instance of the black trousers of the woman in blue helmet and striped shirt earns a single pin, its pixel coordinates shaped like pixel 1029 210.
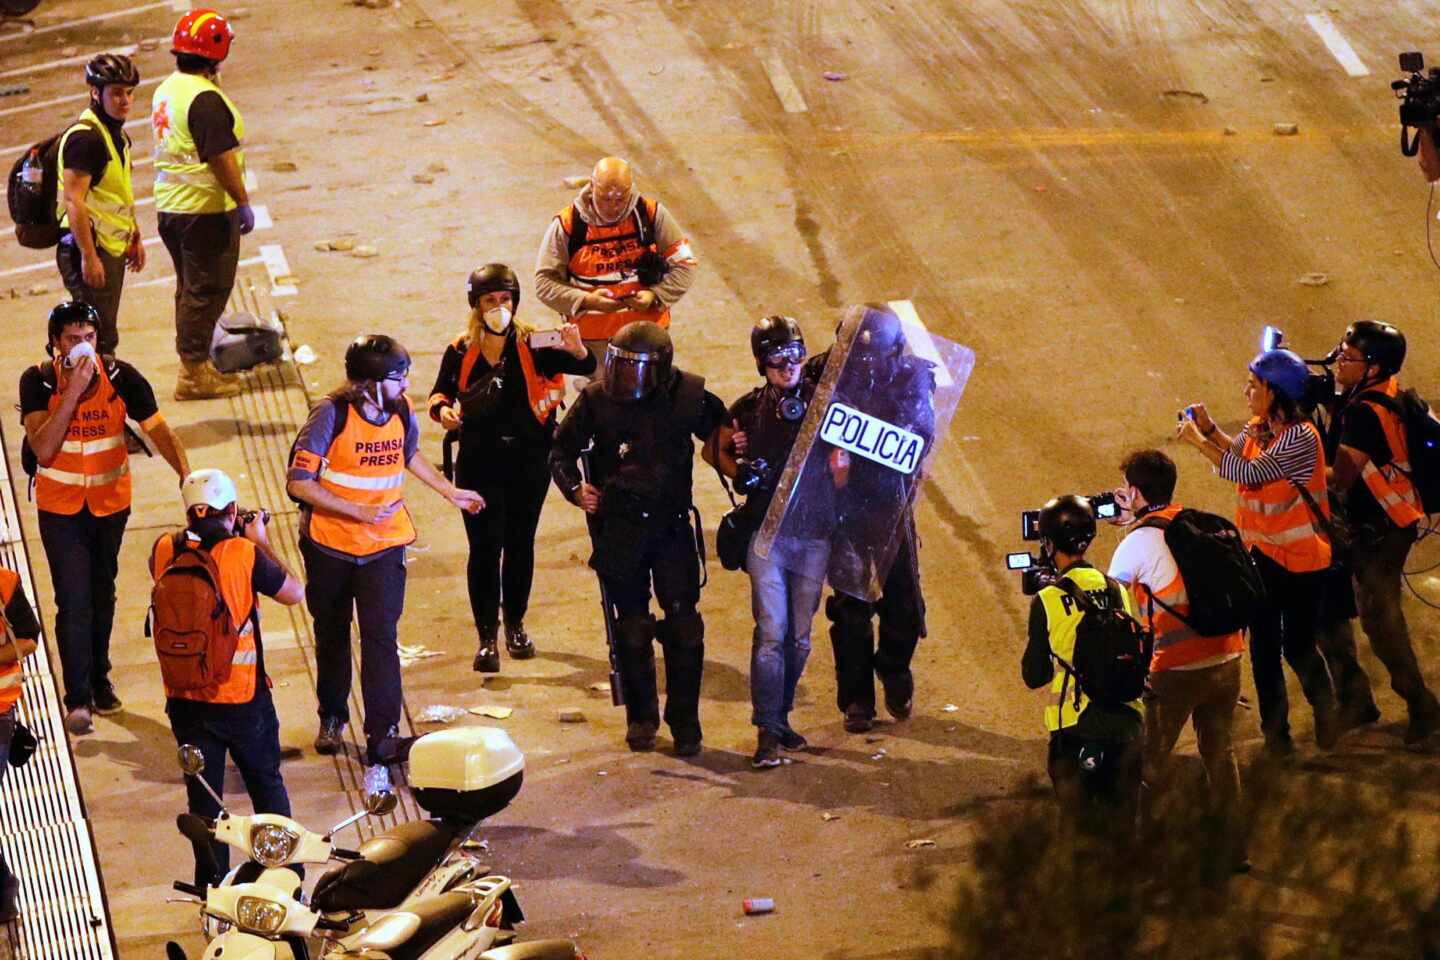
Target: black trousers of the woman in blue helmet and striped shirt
pixel 1285 628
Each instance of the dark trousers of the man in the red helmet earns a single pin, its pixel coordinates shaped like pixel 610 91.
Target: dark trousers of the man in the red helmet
pixel 207 251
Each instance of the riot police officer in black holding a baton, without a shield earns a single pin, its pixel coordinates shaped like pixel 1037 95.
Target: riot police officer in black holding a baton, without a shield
pixel 639 430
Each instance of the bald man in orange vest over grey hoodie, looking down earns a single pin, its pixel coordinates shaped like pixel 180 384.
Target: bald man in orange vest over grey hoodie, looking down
pixel 613 257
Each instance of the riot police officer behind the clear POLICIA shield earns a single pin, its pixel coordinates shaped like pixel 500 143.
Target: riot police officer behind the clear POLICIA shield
pixel 895 388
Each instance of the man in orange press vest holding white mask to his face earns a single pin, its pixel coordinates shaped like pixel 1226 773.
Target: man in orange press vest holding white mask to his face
pixel 74 408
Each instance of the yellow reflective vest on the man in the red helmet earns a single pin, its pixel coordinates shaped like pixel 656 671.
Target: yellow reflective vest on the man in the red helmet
pixel 184 182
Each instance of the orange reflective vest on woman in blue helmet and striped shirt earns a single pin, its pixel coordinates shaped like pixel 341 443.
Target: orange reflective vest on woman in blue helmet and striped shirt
pixel 1277 520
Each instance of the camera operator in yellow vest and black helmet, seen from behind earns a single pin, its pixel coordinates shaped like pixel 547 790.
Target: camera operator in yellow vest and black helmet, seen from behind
pixel 1095 756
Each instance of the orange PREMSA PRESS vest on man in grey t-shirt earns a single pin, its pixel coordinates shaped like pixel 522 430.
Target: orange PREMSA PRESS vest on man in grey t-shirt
pixel 365 466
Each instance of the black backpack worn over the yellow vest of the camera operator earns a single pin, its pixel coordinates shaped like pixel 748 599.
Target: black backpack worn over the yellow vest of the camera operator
pixel 1112 656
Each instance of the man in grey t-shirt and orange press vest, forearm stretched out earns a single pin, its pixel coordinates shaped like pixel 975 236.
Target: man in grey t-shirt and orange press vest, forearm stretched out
pixel 348 471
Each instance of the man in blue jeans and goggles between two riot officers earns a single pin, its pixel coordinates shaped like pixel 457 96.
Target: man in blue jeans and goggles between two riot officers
pixel 751 448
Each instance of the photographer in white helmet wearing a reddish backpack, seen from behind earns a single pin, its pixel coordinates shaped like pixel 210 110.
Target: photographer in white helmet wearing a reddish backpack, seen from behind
pixel 235 716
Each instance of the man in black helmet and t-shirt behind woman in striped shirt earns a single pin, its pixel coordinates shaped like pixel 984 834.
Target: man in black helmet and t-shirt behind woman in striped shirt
pixel 1372 470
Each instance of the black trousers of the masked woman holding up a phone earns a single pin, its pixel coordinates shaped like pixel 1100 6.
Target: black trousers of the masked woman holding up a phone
pixel 515 480
